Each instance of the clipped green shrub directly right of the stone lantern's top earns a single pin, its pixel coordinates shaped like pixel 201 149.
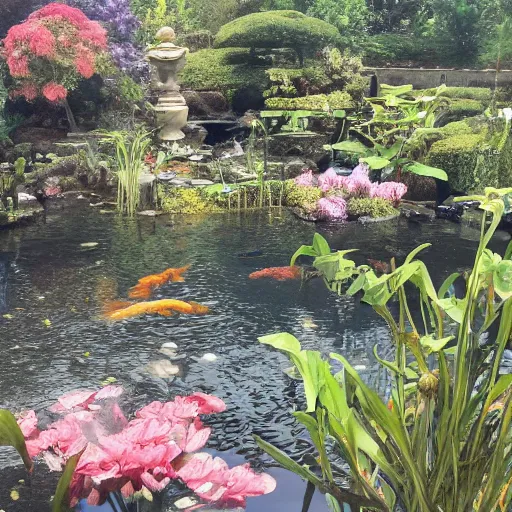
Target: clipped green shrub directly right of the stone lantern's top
pixel 227 69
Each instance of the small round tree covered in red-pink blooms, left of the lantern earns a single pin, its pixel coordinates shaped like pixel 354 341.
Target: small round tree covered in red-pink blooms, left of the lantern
pixel 51 52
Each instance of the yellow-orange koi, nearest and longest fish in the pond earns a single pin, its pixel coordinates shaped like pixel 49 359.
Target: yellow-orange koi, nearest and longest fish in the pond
pixel 164 307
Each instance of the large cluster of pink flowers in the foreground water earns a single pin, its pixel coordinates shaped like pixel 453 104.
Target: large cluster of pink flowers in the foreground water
pixel 110 454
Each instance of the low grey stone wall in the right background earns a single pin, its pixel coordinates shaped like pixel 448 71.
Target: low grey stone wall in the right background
pixel 428 78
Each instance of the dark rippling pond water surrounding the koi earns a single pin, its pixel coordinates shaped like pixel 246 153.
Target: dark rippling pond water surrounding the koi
pixel 45 274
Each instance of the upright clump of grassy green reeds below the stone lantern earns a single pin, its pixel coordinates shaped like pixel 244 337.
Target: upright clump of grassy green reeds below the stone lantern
pixel 131 149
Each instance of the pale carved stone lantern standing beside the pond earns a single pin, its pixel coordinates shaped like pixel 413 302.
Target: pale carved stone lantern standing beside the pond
pixel 166 61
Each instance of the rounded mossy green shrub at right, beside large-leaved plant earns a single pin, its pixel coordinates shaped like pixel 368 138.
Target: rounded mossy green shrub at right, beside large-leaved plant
pixel 471 163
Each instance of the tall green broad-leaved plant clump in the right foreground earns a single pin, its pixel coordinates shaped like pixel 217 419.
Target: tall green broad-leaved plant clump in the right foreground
pixel 440 438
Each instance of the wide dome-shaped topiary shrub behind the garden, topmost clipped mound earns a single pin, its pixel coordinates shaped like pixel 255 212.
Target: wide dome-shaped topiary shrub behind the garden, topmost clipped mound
pixel 278 29
